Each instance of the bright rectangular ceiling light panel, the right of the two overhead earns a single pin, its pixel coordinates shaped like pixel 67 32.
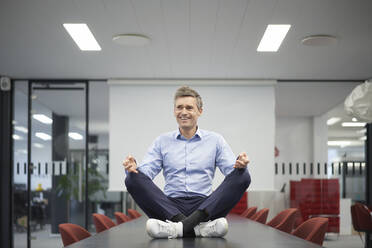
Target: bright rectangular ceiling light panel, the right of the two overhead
pixel 273 38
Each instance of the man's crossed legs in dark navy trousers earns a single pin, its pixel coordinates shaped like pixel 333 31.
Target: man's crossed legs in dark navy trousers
pixel 189 211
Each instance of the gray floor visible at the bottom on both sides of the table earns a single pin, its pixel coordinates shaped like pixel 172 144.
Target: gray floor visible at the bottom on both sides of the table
pixel 43 239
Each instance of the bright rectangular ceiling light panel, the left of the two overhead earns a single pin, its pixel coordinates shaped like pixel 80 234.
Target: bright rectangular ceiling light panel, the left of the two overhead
pixel 82 36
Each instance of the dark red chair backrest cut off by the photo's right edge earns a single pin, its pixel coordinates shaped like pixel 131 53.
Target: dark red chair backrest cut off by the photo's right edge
pixel 361 218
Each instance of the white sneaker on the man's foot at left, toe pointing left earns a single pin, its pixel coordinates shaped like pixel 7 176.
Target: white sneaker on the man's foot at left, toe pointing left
pixel 164 229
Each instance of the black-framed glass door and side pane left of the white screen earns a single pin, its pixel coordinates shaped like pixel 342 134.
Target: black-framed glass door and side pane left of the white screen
pixel 51 179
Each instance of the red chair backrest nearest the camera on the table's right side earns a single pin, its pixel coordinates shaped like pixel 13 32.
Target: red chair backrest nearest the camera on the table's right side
pixel 313 230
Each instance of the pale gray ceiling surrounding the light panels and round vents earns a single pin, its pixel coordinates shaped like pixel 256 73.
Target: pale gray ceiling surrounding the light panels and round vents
pixel 189 39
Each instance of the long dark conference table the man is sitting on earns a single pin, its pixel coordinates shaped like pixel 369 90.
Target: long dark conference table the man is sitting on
pixel 243 232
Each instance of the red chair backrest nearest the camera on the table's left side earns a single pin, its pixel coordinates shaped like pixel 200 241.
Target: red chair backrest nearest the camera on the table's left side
pixel 72 233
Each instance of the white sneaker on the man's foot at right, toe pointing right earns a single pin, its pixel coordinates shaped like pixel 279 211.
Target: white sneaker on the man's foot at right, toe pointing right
pixel 216 228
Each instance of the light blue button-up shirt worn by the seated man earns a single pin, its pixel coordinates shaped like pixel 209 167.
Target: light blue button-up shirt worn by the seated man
pixel 188 164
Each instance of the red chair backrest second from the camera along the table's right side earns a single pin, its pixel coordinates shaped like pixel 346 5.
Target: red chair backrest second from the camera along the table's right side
pixel 284 221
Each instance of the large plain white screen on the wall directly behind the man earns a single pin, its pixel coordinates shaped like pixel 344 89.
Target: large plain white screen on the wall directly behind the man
pixel 243 114
